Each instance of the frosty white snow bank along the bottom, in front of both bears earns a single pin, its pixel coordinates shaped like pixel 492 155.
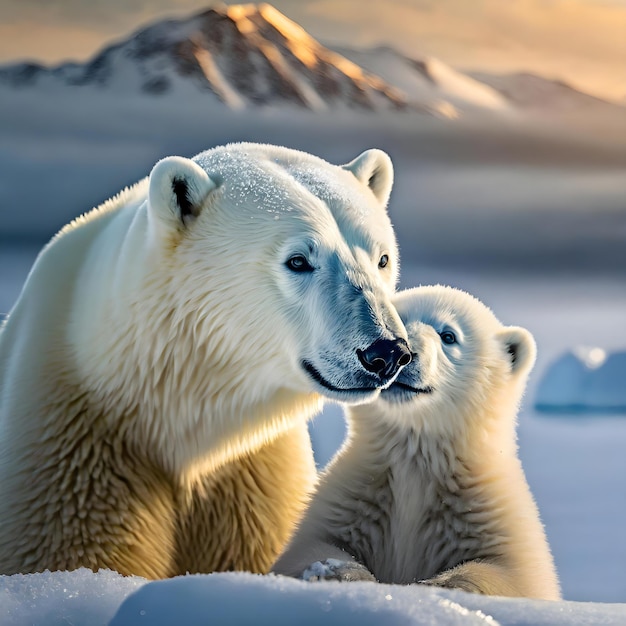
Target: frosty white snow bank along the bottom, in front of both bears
pixel 84 598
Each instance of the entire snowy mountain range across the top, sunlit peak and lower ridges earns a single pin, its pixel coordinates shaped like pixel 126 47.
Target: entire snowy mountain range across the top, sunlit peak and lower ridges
pixel 248 56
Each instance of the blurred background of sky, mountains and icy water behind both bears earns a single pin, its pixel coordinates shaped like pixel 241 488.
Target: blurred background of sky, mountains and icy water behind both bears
pixel 506 123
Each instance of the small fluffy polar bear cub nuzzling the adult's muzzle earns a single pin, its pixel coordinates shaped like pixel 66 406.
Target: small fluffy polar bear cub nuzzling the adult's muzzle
pixel 428 486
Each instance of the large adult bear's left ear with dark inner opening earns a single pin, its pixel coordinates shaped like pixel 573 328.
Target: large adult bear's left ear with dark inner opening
pixel 178 190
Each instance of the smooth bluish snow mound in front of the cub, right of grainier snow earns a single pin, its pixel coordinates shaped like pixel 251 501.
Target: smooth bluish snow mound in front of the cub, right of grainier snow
pixel 278 601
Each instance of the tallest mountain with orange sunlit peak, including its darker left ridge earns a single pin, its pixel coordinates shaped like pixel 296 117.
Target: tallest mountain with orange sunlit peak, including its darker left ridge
pixel 243 55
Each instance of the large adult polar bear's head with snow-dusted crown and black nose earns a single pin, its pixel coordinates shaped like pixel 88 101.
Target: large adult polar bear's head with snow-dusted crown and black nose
pixel 282 265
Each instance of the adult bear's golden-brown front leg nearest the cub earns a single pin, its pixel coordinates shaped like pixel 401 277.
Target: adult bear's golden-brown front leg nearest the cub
pixel 242 515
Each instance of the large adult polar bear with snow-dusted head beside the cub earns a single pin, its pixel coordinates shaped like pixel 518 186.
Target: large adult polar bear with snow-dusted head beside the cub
pixel 159 366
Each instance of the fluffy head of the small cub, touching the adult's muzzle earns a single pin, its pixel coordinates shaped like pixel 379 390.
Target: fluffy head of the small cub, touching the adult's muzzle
pixel 466 364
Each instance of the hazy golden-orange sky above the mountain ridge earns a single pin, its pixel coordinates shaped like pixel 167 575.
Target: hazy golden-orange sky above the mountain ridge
pixel 580 41
